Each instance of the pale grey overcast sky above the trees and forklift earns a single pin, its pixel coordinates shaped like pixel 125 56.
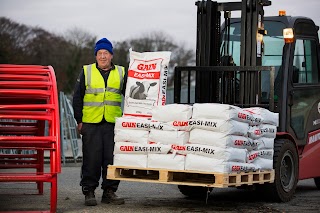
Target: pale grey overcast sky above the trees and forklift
pixel 125 19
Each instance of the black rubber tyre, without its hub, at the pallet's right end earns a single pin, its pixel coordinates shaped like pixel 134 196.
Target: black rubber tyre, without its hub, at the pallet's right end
pixel 275 191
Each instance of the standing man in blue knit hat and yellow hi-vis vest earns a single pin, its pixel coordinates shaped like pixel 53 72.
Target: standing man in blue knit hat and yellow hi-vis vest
pixel 96 103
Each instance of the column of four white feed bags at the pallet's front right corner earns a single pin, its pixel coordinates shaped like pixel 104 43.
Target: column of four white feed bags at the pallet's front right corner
pixel 223 130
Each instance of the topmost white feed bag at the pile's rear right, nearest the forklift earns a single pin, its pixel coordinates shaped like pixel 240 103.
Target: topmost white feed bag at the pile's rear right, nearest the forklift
pixel 265 115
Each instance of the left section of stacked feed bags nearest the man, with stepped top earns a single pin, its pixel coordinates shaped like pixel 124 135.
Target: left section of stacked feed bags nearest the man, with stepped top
pixel 140 142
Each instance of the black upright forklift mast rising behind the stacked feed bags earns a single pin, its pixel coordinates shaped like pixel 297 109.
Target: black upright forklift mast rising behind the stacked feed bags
pixel 209 41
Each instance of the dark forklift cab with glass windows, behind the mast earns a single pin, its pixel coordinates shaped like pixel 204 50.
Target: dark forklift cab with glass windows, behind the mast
pixel 296 82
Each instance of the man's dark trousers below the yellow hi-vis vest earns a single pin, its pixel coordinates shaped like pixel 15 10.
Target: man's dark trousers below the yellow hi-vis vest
pixel 97 152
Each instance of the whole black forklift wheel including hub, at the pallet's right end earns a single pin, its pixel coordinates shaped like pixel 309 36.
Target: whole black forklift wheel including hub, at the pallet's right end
pixel 286 166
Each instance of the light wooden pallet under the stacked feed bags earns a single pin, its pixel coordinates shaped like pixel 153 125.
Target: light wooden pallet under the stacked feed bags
pixel 192 178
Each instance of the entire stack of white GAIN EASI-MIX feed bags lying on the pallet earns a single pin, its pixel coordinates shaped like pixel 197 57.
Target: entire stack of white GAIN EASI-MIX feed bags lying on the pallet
pixel 207 137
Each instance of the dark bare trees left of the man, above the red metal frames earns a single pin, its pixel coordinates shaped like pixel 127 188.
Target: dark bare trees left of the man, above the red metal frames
pixel 21 44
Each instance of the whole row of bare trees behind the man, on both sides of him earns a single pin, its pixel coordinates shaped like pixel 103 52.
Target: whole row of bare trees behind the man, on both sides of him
pixel 67 54
